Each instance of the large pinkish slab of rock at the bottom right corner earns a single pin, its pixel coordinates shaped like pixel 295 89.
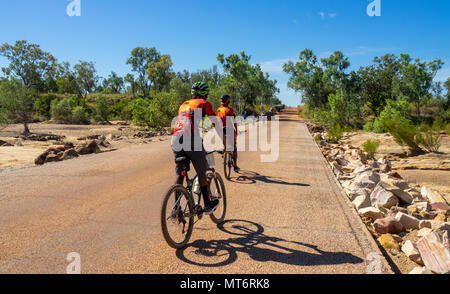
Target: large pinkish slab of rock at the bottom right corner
pixel 435 255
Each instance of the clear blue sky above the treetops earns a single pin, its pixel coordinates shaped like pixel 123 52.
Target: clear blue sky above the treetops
pixel 193 32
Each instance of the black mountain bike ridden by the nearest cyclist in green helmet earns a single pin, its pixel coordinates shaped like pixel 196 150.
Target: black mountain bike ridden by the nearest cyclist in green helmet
pixel 181 205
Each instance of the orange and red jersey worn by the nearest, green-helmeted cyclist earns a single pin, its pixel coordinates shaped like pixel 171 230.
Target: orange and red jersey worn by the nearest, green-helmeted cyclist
pixel 186 115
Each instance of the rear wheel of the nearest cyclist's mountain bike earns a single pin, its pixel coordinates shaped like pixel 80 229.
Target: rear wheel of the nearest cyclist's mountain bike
pixel 177 216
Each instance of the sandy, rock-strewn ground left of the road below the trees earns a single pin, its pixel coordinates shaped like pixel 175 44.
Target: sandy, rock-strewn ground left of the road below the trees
pixel 71 142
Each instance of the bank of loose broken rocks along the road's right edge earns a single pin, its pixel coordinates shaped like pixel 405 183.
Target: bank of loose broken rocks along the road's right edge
pixel 412 223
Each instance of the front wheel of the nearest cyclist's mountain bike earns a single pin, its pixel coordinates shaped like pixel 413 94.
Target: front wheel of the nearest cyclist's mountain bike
pixel 217 188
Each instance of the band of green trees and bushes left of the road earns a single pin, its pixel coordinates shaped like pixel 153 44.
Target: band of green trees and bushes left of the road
pixel 149 94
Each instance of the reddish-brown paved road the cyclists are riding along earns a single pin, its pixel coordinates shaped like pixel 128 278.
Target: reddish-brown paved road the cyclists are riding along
pixel 284 217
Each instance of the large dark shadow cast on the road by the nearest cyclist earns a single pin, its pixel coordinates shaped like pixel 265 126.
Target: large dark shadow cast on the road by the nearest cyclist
pixel 249 239
